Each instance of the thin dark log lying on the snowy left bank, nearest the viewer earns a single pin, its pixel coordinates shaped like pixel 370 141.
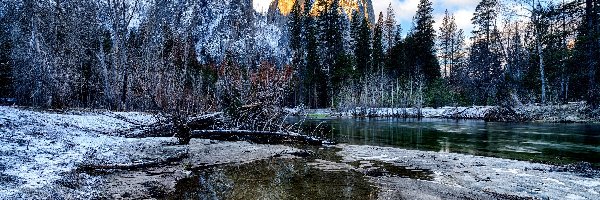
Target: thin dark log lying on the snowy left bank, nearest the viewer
pixel 132 166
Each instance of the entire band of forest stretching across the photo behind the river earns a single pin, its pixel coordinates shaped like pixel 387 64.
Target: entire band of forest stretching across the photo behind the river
pixel 83 53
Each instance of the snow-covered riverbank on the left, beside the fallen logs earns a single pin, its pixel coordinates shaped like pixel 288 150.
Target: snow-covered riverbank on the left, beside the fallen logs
pixel 40 152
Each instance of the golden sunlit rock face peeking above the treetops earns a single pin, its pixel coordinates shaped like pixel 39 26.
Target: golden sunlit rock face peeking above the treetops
pixel 364 7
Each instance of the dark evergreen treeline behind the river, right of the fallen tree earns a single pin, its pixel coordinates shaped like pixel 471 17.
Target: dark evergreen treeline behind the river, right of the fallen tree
pixel 541 53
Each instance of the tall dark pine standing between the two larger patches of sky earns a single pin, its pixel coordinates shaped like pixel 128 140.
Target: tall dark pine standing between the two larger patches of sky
pixel 424 42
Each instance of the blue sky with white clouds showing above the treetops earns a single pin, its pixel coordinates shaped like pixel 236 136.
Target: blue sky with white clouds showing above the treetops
pixel 405 10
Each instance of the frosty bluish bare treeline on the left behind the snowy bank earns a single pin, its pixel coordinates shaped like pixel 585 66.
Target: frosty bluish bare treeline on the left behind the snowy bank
pixel 120 55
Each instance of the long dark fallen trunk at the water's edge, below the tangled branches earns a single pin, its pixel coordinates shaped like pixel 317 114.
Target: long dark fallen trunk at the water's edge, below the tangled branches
pixel 262 137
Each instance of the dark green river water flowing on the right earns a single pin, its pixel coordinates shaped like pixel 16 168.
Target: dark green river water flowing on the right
pixel 538 142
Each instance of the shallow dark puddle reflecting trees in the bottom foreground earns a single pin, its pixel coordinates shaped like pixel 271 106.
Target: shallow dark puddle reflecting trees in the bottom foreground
pixel 274 179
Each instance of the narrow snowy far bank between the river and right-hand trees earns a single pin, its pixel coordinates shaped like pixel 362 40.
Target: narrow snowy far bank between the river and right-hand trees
pixel 574 112
